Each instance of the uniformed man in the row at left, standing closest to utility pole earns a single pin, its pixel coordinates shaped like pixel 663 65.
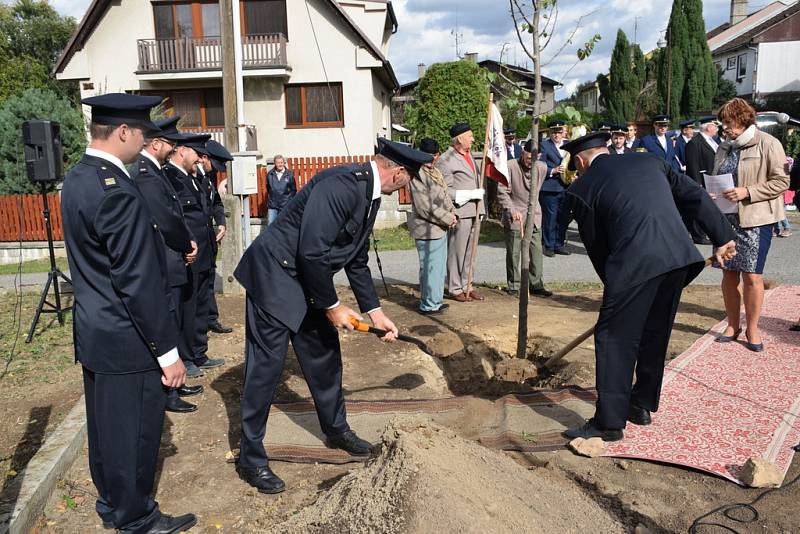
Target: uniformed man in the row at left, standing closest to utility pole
pixel 213 158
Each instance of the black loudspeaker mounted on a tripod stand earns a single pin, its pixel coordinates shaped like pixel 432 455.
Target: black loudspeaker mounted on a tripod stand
pixel 44 156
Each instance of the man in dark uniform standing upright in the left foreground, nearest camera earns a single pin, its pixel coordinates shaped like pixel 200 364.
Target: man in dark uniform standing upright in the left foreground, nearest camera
pixel 124 327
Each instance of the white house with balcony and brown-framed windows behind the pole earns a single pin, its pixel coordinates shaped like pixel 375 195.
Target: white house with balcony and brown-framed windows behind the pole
pixel 316 78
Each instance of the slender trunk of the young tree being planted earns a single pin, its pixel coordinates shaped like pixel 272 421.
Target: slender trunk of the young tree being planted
pixel 522 330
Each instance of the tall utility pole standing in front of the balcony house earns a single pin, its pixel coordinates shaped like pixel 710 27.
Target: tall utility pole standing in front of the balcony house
pixel 232 246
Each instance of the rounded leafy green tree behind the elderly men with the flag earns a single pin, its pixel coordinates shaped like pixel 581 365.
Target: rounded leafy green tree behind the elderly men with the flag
pixel 451 92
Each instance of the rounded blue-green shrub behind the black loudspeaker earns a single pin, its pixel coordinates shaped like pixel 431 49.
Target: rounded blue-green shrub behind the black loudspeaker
pixel 35 104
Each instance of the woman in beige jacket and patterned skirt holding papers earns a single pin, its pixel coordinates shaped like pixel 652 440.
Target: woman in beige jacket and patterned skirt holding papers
pixel 756 162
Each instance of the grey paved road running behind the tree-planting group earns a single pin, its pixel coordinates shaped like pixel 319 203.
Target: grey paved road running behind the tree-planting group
pixel 783 265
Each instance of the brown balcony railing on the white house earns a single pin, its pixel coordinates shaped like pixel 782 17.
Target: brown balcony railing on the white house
pixel 158 56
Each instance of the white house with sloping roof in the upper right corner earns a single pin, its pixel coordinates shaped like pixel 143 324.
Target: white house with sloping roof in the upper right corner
pixel 759 51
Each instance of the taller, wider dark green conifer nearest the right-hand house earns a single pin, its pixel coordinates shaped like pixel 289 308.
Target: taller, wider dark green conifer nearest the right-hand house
pixel 687 62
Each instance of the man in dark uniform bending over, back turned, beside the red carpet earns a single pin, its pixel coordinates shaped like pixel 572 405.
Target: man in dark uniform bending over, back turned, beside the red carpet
pixel 628 209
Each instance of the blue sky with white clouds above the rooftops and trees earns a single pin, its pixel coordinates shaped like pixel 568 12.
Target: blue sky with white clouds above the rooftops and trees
pixel 427 31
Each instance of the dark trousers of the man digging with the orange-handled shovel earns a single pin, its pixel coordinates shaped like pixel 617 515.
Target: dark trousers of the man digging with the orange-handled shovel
pixel 316 345
